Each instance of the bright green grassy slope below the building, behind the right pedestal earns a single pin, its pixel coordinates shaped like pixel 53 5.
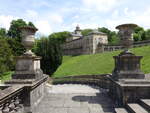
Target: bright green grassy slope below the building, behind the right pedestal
pixel 98 63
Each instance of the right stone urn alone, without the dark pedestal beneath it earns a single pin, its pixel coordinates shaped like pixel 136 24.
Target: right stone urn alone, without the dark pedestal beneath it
pixel 125 34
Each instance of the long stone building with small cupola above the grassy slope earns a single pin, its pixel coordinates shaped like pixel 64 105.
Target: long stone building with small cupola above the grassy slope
pixel 77 44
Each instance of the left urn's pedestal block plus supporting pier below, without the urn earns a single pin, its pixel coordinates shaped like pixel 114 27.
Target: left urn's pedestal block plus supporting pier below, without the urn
pixel 29 74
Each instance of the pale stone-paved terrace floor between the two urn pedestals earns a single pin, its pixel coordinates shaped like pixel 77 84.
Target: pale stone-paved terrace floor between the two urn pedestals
pixel 69 98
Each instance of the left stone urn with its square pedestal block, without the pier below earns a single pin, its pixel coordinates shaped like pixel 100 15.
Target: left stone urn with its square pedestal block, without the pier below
pixel 28 64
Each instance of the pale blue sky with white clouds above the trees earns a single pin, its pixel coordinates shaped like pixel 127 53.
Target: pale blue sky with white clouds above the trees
pixel 64 15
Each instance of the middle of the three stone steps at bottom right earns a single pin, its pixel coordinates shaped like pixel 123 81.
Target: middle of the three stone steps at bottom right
pixel 136 108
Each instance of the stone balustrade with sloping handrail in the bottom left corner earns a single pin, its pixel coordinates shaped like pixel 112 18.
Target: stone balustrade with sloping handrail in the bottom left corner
pixel 11 99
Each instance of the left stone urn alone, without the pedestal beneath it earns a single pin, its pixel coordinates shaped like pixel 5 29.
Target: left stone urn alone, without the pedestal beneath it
pixel 28 39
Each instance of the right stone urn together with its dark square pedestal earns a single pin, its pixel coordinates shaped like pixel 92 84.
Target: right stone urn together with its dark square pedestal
pixel 127 64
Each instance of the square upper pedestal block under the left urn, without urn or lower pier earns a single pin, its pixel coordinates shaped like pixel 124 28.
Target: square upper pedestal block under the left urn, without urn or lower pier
pixel 27 67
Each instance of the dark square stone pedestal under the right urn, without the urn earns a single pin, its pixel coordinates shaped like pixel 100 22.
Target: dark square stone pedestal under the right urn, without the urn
pixel 127 65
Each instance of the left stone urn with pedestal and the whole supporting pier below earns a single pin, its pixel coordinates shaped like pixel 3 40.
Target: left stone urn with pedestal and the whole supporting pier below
pixel 28 73
